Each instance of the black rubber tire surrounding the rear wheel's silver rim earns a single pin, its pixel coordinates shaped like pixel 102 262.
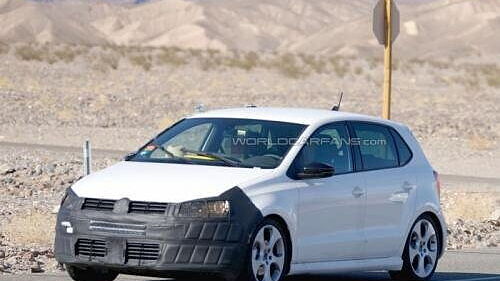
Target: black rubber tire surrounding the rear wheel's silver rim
pixel 407 272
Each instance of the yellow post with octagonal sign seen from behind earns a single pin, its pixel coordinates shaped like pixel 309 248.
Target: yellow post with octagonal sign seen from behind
pixel 386 29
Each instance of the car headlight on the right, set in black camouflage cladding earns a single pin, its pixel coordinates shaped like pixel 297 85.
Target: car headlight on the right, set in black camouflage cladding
pixel 203 209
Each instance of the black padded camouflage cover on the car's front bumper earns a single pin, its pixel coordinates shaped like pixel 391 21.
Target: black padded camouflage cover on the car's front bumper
pixel 157 244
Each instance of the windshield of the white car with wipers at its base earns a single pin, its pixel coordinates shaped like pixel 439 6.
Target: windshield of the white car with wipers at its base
pixel 222 141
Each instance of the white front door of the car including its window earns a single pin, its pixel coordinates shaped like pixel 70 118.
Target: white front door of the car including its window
pixel 330 210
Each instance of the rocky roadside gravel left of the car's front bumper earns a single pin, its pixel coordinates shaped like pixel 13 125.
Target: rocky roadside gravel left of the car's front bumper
pixel 32 184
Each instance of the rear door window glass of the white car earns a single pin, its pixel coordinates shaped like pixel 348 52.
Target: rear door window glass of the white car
pixel 376 145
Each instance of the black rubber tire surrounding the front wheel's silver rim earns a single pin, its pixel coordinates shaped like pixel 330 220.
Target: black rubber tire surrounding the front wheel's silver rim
pixel 247 270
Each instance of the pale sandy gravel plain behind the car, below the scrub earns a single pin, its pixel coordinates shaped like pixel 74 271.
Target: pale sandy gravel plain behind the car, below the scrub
pixel 65 102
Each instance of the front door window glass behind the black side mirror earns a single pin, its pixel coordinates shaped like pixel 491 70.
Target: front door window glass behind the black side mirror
pixel 328 145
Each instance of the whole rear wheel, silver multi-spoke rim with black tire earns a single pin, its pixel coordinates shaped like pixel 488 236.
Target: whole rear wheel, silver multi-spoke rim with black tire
pixel 421 253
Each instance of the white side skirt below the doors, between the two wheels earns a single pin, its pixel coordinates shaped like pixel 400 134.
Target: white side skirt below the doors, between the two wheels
pixel 394 263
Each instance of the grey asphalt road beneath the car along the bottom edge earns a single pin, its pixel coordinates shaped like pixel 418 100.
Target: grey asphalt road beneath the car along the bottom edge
pixel 483 265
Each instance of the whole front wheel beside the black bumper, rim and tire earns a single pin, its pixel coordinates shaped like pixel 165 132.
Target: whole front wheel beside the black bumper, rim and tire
pixel 269 253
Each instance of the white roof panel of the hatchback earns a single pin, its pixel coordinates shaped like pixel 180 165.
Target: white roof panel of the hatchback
pixel 307 116
